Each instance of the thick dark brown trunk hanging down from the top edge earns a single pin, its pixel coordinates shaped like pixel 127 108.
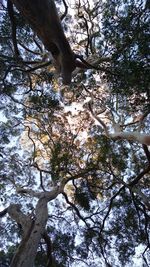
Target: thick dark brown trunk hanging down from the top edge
pixel 44 20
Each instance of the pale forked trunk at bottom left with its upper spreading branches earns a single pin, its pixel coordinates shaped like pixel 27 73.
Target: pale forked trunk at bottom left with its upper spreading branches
pixel 33 229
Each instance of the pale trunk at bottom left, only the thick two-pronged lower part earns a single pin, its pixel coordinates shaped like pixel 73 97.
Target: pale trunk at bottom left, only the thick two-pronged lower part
pixel 33 231
